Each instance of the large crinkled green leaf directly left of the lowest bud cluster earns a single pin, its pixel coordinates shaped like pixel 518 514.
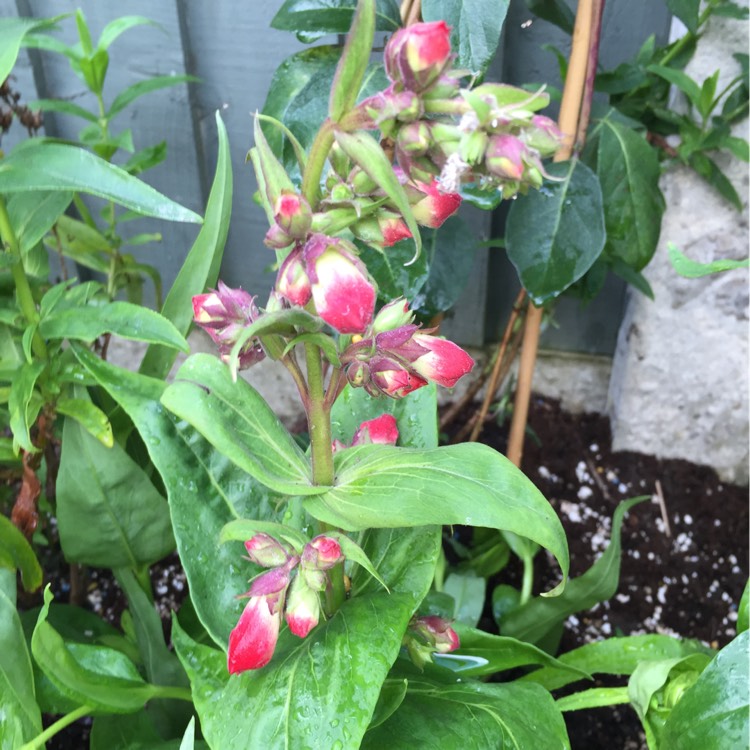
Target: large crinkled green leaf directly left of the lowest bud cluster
pixel 206 491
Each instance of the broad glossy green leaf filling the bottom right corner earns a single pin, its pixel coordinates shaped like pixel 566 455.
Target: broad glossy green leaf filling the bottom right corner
pixel 713 713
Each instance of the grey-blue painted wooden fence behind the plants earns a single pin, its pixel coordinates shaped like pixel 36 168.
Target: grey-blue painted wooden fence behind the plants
pixel 232 49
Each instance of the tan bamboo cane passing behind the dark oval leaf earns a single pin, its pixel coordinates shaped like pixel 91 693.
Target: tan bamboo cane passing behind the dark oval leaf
pixel 580 58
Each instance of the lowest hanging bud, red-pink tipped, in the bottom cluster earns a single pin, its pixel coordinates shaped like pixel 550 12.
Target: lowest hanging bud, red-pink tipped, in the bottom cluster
pixel 253 639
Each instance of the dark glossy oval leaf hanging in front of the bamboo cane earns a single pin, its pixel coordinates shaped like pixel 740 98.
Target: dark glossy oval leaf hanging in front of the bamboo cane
pixel 554 235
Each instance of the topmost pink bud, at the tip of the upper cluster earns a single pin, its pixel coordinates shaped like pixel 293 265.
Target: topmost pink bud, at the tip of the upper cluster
pixel 416 55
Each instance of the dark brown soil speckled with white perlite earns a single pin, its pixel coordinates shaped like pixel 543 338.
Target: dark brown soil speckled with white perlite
pixel 685 580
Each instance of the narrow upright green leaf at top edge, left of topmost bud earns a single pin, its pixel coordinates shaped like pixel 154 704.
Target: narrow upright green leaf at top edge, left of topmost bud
pixel 352 66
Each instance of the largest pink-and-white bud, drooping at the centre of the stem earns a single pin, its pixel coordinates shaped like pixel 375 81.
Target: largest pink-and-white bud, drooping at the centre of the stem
pixel 343 291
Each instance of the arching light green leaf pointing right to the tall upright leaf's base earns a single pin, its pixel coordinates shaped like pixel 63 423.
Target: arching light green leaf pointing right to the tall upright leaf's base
pixel 119 318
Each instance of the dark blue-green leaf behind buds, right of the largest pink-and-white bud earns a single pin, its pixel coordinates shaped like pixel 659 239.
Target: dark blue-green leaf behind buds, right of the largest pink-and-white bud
pixel 450 252
